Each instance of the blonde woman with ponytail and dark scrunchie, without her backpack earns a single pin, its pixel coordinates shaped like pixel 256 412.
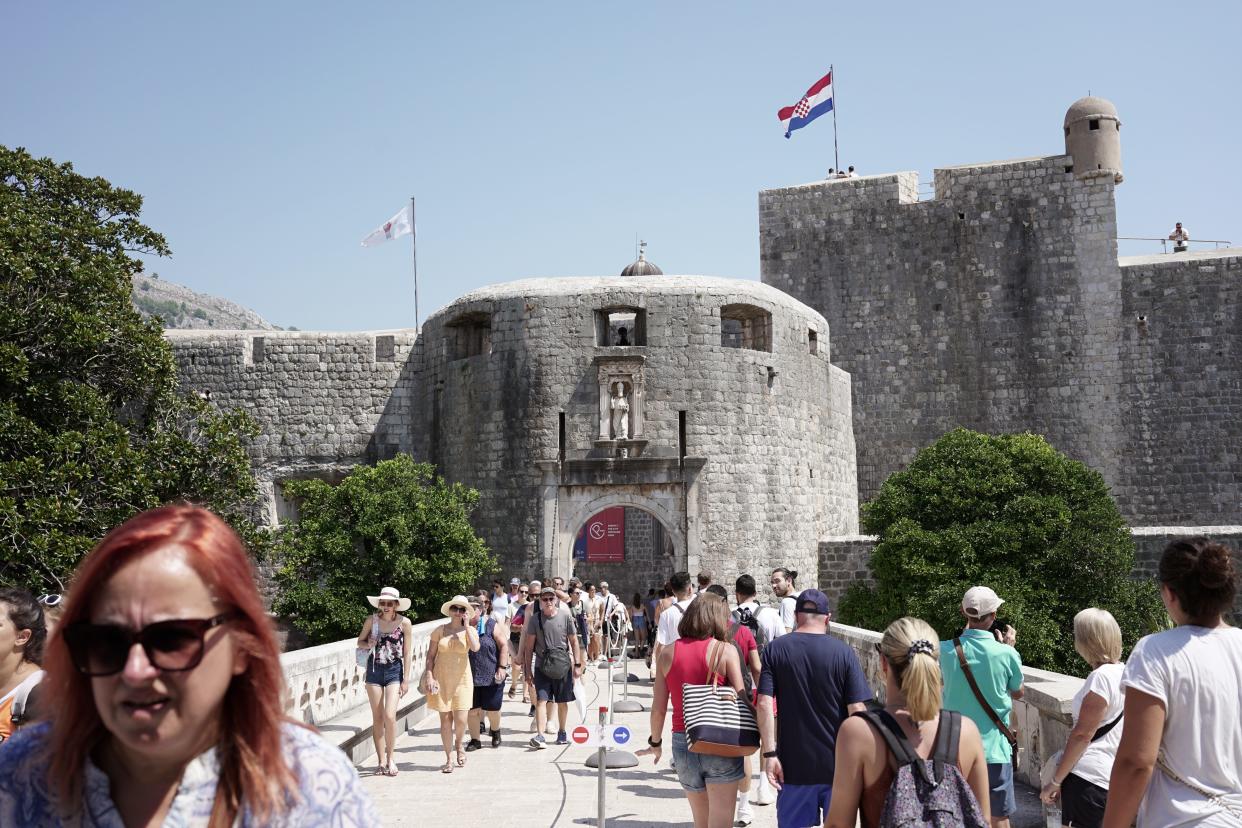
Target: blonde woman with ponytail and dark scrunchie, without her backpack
pixel 910 659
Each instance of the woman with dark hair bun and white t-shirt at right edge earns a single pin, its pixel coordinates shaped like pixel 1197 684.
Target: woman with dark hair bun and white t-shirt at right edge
pixel 1181 759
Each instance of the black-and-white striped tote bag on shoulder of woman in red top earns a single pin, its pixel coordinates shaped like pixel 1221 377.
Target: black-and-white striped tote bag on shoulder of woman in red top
pixel 718 722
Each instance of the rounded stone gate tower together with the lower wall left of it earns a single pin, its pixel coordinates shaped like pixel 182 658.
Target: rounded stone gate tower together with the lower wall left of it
pixel 743 450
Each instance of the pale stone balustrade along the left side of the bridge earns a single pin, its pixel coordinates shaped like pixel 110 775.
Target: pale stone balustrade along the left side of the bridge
pixel 325 682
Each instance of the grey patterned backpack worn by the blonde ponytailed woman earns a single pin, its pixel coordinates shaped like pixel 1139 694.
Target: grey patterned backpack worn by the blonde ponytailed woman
pixel 930 793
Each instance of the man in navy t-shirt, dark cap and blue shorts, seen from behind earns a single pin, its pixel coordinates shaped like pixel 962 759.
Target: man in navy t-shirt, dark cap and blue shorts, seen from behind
pixel 817 682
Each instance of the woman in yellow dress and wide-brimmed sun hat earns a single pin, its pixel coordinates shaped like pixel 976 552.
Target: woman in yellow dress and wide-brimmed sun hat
pixel 448 681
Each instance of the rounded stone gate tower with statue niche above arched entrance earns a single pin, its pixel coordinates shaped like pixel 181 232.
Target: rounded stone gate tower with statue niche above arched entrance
pixel 707 404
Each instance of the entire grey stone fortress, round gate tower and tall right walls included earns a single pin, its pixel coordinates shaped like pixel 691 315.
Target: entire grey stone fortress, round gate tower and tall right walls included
pixel 999 305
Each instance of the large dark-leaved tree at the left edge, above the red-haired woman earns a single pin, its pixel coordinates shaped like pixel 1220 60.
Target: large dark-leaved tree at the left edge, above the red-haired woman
pixel 94 428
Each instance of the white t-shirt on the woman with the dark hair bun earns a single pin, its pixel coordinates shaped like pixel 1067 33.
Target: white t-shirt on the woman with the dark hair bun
pixel 1198 675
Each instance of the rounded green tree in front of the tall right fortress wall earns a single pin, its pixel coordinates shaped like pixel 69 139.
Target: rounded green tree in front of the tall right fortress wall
pixel 1012 513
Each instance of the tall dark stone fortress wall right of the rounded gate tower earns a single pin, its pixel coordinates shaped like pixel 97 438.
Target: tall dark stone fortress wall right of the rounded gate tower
pixel 1000 305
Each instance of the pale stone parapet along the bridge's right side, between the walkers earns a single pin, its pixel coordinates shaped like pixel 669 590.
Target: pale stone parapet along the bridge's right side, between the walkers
pixel 1043 714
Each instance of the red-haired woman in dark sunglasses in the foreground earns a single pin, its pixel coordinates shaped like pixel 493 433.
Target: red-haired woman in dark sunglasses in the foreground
pixel 165 695
